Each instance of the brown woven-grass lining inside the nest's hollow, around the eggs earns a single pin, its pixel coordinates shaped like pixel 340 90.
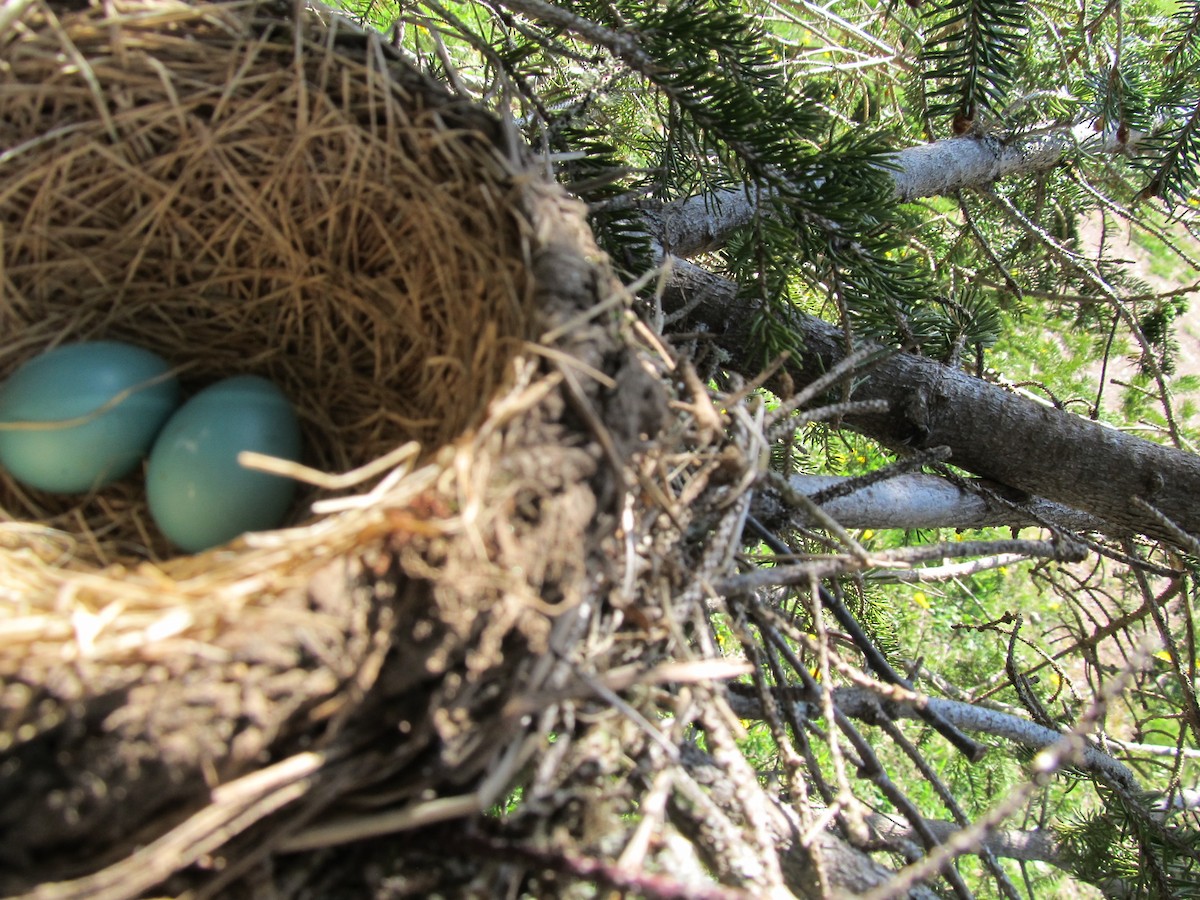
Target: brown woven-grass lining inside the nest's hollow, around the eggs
pixel 243 196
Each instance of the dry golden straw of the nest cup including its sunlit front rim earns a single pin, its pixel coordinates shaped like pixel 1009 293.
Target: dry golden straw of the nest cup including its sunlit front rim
pixel 244 193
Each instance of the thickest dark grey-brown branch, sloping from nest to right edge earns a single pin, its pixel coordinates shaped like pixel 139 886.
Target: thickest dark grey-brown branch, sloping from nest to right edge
pixel 993 434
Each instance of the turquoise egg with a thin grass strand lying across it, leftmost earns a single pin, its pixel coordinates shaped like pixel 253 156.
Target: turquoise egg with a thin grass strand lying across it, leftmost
pixel 73 382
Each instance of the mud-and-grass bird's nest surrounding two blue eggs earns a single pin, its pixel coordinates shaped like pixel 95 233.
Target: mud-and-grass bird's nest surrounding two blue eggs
pixel 254 189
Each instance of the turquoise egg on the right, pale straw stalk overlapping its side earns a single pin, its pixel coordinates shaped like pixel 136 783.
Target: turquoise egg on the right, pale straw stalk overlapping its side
pixel 199 494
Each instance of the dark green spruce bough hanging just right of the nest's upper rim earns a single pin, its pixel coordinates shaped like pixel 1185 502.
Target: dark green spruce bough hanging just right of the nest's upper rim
pixel 729 98
